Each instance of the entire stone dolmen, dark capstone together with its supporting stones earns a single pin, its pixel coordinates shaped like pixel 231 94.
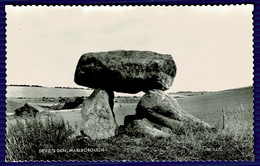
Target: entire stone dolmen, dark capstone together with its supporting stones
pixel 157 113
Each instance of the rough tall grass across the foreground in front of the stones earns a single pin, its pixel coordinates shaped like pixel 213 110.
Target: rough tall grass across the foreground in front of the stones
pixel 27 138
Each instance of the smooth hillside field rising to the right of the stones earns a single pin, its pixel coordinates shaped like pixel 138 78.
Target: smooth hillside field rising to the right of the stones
pixel 209 106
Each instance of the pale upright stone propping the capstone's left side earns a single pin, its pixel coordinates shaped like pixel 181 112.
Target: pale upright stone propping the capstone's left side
pixel 97 113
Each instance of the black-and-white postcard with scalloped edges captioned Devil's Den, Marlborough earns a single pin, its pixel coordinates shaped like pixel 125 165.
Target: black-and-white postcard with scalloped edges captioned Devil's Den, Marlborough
pixel 129 83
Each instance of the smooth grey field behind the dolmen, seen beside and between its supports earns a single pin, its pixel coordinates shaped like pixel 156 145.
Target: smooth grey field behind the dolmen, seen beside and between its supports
pixel 206 106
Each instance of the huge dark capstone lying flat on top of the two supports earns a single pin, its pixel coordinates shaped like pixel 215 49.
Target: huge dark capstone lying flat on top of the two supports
pixel 126 71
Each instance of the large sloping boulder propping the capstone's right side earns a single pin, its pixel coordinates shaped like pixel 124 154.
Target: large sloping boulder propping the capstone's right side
pixel 164 110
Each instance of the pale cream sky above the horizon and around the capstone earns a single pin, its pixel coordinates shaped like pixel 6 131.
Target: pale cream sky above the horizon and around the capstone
pixel 212 46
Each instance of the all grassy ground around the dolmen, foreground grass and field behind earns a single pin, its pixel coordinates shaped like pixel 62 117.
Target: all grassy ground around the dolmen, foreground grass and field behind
pixel 233 142
